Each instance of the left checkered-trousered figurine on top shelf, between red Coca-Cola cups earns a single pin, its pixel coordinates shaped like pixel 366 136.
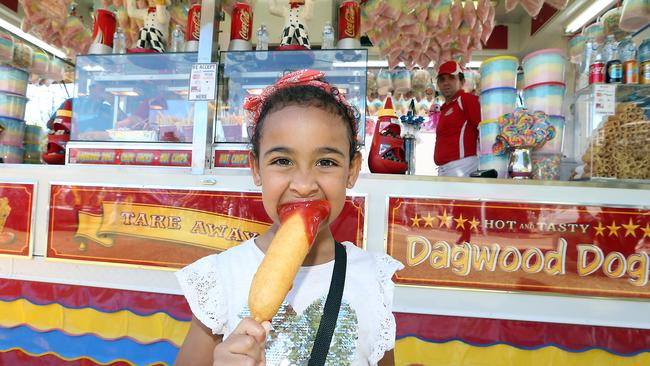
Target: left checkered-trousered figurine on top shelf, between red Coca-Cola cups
pixel 155 31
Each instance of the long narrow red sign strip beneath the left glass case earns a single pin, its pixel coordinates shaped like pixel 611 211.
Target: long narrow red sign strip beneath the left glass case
pixel 130 157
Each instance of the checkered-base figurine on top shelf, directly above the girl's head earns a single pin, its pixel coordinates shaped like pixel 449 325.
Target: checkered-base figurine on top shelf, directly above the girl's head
pixel 295 13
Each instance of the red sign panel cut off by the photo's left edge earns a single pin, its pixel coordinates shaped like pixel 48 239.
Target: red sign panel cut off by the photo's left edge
pixel 16 200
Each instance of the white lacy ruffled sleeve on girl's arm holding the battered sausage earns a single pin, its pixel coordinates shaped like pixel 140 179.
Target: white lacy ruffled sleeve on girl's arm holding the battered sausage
pixel 202 286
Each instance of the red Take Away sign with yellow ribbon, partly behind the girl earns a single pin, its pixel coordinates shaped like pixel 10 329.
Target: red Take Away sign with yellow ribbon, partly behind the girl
pixel 164 227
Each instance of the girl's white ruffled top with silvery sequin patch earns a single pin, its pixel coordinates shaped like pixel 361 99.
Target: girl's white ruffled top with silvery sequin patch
pixel 216 288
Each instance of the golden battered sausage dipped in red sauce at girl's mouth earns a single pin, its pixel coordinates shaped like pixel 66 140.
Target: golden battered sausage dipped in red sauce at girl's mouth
pixel 299 223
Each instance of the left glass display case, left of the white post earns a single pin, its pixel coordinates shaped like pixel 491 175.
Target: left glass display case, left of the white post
pixel 133 98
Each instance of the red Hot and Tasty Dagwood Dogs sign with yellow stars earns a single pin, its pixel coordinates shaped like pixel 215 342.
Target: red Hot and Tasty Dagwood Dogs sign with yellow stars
pixel 582 250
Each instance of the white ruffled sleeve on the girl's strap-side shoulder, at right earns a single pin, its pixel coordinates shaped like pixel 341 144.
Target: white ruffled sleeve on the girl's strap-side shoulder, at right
pixel 385 335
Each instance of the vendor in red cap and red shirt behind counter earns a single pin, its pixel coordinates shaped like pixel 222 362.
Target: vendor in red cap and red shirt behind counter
pixel 457 130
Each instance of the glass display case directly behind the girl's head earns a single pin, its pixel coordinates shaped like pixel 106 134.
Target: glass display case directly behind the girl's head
pixel 245 73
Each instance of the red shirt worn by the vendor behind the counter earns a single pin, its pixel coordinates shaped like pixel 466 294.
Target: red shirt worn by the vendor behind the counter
pixel 457 127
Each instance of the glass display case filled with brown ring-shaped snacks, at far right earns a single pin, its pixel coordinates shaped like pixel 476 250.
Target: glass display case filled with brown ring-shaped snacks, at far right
pixel 612 135
